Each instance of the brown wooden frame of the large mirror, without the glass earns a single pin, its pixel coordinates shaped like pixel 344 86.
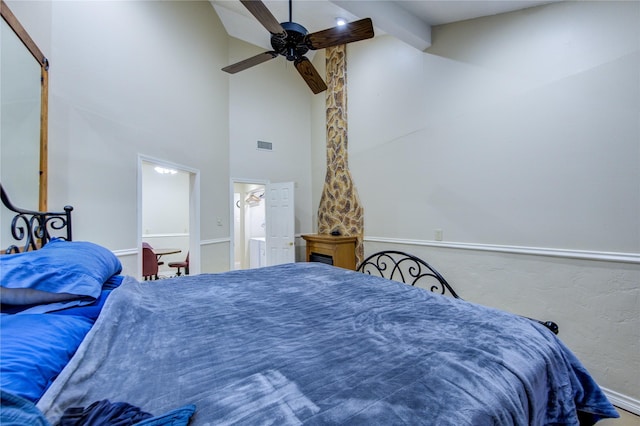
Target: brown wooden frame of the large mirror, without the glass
pixel 22 34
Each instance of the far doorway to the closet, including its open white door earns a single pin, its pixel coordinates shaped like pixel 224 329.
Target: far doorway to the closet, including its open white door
pixel 263 224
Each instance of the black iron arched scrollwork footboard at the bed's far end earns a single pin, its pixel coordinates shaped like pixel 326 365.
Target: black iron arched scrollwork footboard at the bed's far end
pixel 409 269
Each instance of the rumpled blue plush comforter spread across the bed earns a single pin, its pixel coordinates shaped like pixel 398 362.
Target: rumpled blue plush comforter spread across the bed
pixel 310 343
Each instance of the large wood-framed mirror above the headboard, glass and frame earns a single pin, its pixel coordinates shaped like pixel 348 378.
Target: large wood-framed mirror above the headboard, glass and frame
pixel 23 115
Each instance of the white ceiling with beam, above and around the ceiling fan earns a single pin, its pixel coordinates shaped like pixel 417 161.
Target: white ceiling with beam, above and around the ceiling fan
pixel 409 21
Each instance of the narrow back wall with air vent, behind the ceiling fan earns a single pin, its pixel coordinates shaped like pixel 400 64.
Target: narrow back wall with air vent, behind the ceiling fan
pixel 270 102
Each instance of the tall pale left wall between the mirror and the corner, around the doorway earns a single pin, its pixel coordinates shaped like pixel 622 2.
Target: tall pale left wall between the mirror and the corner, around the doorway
pixel 130 78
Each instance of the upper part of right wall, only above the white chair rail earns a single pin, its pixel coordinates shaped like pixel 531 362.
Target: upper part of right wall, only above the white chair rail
pixel 529 120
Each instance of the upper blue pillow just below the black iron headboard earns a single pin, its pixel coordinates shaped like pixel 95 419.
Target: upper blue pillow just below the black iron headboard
pixel 61 270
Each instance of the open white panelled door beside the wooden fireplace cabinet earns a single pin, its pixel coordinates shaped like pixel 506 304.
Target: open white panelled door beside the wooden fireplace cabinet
pixel 280 223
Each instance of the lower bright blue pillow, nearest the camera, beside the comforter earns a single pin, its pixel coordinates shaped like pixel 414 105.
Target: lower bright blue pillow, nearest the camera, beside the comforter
pixel 35 348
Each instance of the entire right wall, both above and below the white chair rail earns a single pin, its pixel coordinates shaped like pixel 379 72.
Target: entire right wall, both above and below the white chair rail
pixel 515 133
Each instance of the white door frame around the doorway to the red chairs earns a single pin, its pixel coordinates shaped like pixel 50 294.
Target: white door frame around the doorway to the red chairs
pixel 194 210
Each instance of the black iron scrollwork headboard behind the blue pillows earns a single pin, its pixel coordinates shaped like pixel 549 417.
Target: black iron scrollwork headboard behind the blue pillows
pixel 33 229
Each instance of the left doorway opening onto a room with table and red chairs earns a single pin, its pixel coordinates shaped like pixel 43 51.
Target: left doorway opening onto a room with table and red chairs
pixel 168 217
